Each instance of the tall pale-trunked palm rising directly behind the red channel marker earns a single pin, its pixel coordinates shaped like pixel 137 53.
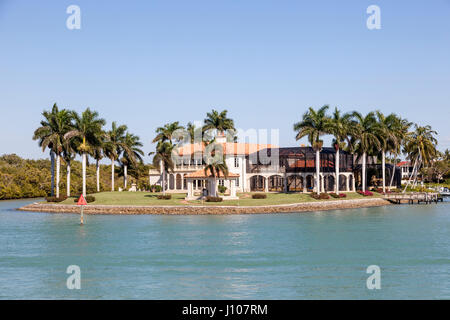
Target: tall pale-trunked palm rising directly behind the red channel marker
pixel 88 131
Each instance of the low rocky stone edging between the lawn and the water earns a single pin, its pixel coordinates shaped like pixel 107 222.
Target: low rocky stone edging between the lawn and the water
pixel 213 210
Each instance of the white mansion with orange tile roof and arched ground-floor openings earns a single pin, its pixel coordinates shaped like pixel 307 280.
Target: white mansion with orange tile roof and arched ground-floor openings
pixel 288 169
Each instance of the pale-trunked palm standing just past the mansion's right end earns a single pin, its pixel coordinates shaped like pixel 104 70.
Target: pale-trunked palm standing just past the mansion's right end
pixel 366 131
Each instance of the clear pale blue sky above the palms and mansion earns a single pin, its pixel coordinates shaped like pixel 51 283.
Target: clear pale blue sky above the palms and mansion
pixel 146 63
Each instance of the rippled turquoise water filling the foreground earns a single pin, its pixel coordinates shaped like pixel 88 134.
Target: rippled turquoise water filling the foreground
pixel 318 255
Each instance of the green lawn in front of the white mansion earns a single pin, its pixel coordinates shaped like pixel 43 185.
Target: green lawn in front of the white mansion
pixel 149 199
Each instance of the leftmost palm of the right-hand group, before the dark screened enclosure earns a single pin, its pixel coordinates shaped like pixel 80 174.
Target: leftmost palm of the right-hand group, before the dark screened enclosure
pixel 314 125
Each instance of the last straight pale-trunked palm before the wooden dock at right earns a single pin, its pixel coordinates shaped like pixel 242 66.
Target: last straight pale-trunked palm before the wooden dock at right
pixel 388 138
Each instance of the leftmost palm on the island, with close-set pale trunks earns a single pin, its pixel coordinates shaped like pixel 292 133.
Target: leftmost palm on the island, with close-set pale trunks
pixel 51 135
